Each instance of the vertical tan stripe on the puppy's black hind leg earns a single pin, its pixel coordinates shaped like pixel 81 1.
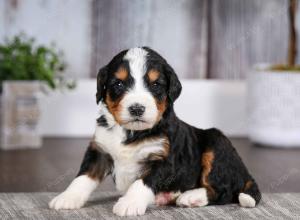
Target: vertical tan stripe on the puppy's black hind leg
pixel 206 162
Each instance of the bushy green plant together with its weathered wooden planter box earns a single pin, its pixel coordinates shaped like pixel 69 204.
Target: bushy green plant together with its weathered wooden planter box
pixel 24 70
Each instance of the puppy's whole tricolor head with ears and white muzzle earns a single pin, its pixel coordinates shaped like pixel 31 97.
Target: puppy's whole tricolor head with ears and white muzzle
pixel 137 86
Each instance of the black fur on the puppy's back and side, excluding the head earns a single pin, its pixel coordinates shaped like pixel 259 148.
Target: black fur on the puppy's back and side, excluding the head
pixel 182 168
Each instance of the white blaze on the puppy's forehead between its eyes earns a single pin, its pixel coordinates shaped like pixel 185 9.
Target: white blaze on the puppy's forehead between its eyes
pixel 137 63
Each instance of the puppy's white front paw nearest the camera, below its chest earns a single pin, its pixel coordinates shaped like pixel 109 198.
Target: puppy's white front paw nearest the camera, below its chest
pixel 130 207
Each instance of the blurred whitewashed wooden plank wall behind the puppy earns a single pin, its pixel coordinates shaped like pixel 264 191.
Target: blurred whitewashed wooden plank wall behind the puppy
pixel 200 38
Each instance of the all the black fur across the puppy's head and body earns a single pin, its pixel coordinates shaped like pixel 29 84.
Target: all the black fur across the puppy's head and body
pixel 182 168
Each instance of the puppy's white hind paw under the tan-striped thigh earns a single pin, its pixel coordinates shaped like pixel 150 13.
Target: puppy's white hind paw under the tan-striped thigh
pixel 193 198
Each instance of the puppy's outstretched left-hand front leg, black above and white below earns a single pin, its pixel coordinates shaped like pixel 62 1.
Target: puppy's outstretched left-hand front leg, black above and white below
pixel 95 166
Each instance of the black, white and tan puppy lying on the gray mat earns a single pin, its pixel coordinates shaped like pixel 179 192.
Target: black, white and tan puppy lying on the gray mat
pixel 152 155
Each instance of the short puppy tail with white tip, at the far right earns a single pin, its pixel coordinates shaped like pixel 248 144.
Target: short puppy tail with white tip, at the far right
pixel 250 195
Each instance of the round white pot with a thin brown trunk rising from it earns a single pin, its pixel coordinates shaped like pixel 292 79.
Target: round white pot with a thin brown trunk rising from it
pixel 274 97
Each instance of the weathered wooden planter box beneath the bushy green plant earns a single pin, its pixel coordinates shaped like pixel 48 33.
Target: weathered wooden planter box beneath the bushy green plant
pixel 20 115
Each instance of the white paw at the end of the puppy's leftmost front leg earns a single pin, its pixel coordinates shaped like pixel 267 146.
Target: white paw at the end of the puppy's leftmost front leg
pixel 68 200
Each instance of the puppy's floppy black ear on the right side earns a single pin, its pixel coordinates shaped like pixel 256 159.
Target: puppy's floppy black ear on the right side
pixel 174 84
